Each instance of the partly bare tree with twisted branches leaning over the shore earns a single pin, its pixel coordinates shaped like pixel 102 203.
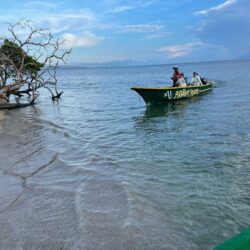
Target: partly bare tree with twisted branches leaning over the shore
pixel 29 58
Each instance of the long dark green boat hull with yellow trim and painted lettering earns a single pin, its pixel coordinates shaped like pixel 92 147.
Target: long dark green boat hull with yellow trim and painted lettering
pixel 155 95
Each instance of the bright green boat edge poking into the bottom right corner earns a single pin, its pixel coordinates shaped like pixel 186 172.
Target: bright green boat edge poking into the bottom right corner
pixel 239 242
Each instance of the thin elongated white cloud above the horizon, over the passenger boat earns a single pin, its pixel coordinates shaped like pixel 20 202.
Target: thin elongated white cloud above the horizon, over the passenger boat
pixel 184 49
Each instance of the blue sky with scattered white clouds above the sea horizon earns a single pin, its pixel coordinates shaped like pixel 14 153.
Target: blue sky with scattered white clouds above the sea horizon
pixel 141 31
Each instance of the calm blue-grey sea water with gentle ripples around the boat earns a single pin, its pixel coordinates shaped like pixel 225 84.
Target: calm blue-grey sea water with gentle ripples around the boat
pixel 99 170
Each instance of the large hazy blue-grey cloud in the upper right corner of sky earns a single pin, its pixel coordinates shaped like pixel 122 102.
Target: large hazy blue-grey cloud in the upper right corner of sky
pixel 229 29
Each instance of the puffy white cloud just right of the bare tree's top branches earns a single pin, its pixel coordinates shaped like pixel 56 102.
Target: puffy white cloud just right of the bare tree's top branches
pixel 86 39
